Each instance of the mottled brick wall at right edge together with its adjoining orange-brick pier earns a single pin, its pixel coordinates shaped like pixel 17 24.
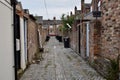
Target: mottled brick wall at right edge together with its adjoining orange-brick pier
pixel 107 37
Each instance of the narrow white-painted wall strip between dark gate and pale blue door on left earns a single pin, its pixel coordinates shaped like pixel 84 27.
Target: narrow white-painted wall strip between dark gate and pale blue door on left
pixel 22 41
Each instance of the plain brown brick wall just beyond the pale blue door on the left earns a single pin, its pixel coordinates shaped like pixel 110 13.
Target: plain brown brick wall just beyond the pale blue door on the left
pixel 32 39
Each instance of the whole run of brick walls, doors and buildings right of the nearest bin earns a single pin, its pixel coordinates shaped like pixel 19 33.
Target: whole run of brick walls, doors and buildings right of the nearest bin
pixel 97 33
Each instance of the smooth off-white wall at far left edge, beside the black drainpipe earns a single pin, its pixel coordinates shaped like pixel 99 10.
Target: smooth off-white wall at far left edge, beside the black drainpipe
pixel 6 42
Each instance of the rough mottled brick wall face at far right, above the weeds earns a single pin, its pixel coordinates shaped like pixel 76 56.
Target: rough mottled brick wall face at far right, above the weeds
pixel 111 28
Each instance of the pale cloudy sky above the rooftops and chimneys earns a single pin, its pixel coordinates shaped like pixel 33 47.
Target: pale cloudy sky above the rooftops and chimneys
pixel 53 8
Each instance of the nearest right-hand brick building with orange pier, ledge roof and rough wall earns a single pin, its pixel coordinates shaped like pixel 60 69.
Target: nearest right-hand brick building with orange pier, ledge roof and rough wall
pixel 104 33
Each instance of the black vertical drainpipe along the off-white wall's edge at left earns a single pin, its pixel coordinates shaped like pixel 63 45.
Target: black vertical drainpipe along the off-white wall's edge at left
pixel 15 26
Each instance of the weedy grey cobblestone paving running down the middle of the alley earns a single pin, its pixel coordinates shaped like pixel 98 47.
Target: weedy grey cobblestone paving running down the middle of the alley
pixel 60 64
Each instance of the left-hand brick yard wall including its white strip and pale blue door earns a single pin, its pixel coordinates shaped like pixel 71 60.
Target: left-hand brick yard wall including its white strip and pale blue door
pixel 27 36
